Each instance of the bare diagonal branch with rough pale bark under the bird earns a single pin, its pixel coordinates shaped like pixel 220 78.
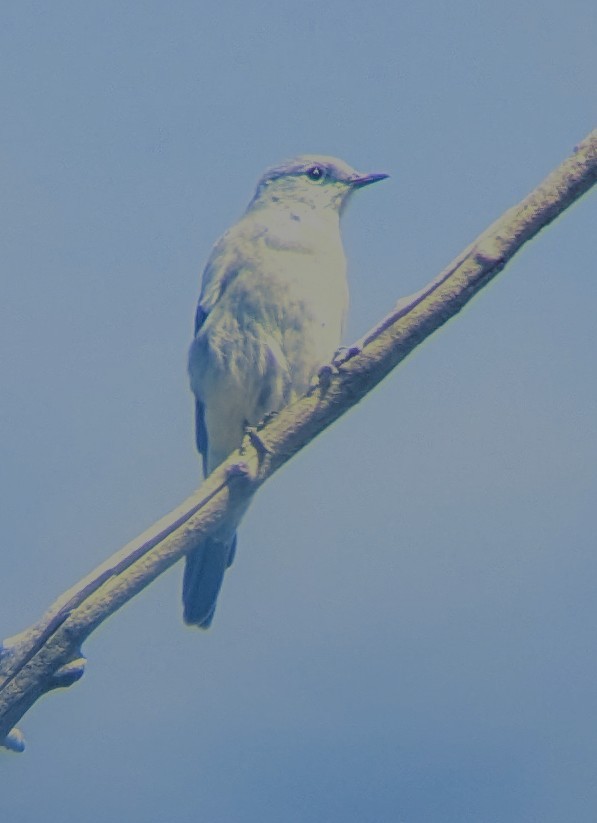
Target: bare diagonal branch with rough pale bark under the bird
pixel 48 654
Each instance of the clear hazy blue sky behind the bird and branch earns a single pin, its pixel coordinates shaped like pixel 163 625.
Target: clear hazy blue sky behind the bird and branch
pixel 408 632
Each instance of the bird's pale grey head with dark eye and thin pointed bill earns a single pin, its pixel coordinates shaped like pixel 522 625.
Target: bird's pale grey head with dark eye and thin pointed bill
pixel 316 181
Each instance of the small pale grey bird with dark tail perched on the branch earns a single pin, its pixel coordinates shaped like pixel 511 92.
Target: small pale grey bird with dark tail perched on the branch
pixel 271 313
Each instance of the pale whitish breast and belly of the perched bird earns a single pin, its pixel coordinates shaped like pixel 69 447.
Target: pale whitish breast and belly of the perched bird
pixel 279 318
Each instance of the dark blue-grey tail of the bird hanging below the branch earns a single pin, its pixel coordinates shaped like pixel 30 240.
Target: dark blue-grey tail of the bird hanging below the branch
pixel 203 574
